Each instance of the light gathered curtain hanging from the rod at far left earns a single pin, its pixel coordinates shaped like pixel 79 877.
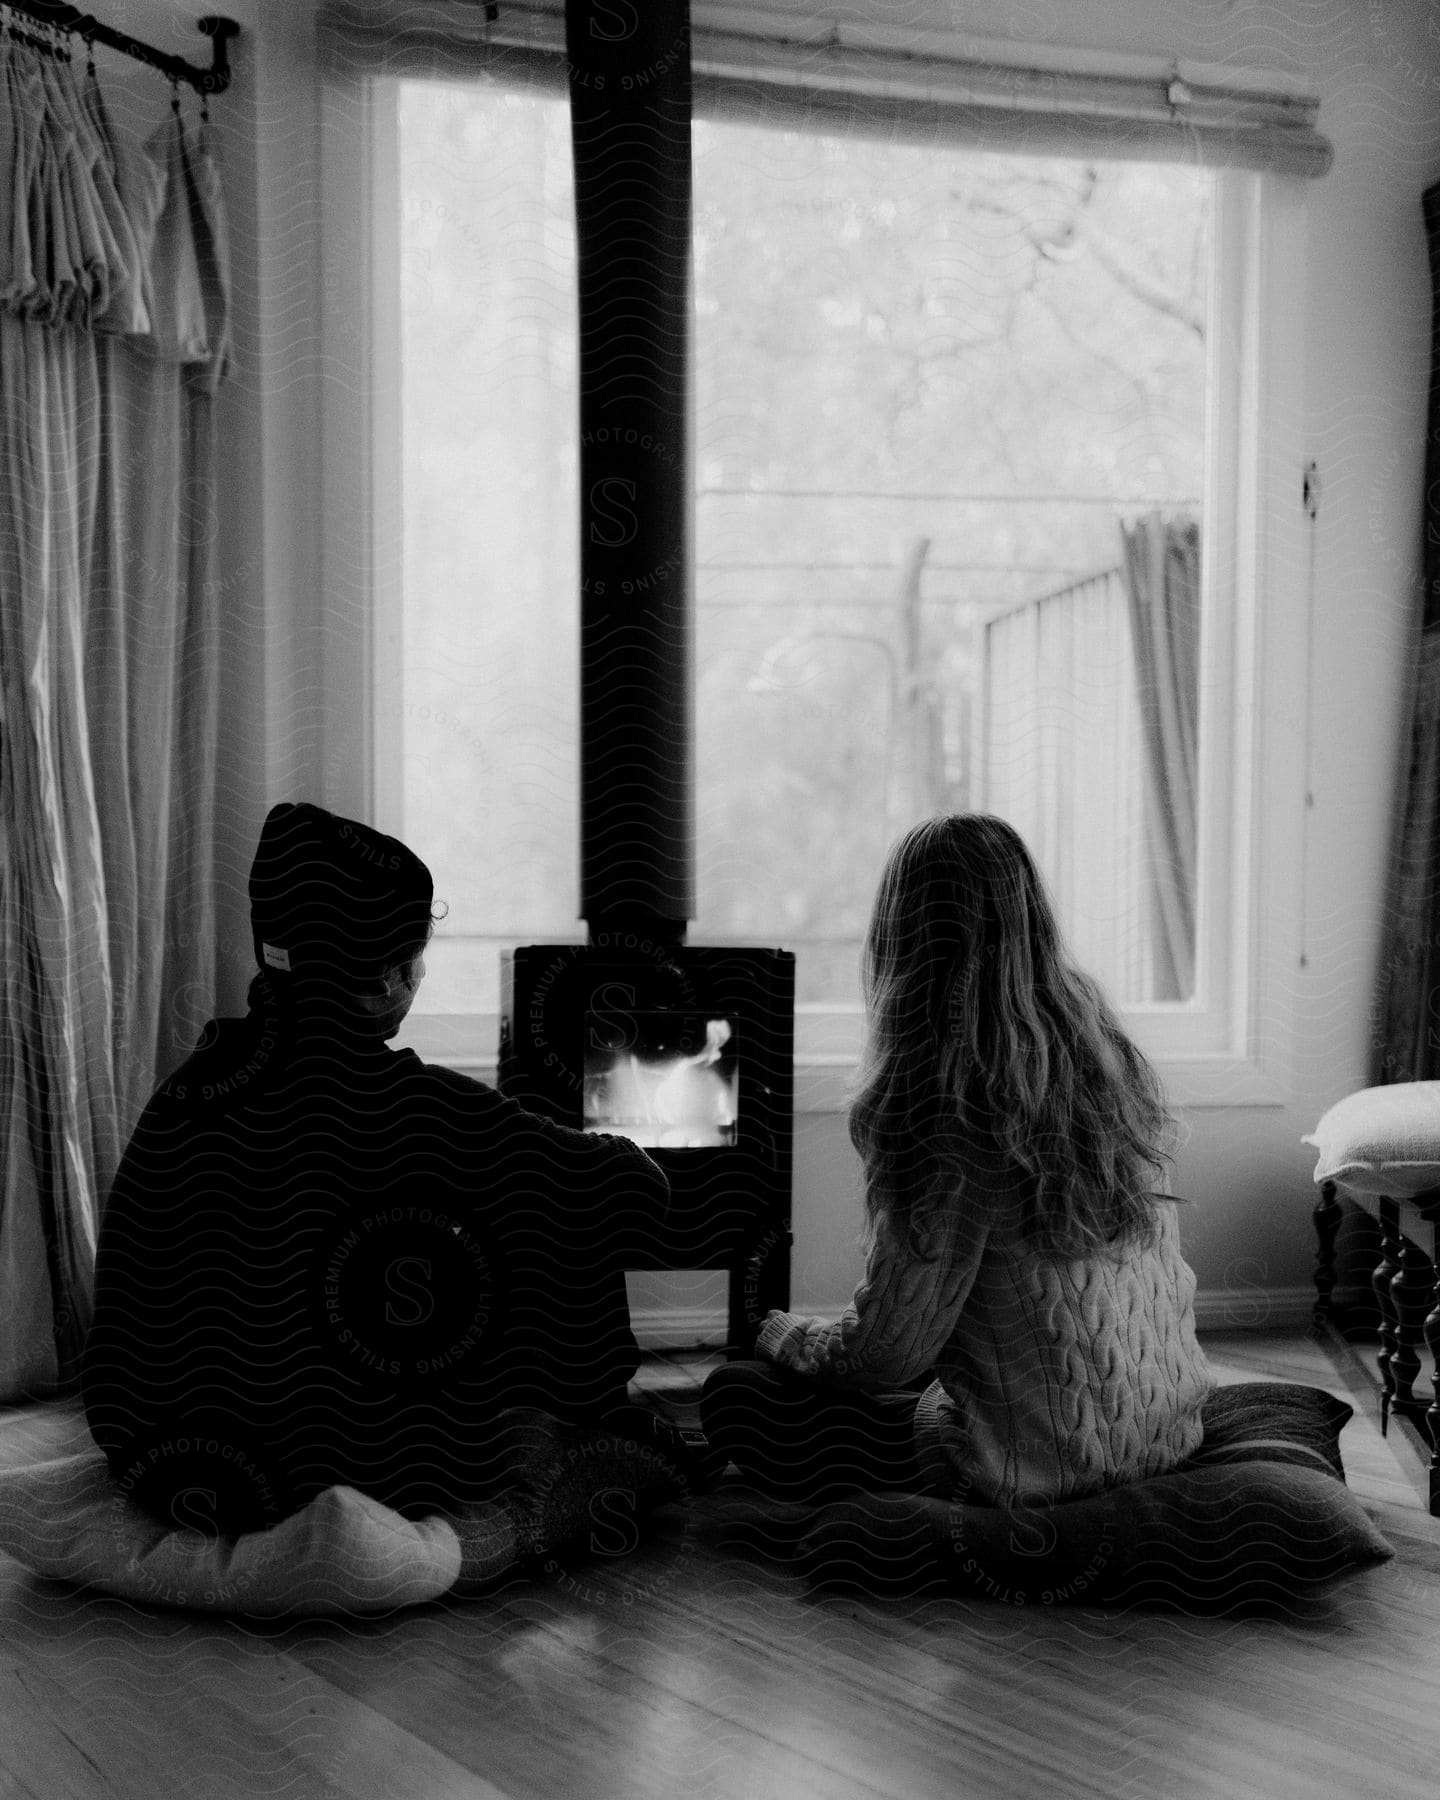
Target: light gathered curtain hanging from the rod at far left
pixel 114 337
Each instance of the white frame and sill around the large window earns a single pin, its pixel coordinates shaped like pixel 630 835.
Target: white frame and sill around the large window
pixel 1219 1048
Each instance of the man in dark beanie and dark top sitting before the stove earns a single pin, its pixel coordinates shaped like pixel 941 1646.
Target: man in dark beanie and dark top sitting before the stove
pixel 328 1263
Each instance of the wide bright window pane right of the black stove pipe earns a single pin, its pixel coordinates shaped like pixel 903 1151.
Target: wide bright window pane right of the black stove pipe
pixel 931 386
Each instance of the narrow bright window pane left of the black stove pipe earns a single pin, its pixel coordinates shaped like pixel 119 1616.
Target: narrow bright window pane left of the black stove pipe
pixel 490 586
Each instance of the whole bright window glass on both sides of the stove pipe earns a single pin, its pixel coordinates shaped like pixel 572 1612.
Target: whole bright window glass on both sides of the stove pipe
pixel 957 539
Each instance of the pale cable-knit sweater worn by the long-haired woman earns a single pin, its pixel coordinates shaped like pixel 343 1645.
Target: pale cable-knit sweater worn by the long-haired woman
pixel 1056 1378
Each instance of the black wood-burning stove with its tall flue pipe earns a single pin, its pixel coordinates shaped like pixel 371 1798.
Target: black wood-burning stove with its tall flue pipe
pixel 687 1048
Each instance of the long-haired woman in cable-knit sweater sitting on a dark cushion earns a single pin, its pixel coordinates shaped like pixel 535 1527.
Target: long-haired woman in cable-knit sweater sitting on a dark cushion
pixel 1025 1327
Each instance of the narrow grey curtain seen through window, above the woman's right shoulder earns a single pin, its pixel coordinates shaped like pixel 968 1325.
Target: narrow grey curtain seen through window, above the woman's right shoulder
pixel 1164 584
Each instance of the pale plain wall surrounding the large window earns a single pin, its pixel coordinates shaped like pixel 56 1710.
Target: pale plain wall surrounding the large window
pixel 1376 67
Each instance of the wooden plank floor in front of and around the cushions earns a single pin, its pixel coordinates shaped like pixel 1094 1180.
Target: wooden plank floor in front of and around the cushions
pixel 688 1673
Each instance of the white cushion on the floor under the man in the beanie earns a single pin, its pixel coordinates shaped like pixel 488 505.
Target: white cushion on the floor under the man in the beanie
pixel 341 1554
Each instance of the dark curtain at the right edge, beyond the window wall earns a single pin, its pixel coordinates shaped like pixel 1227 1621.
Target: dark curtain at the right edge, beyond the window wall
pixel 1407 1047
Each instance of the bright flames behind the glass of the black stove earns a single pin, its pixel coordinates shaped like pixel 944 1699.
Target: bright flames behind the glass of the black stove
pixel 674 1104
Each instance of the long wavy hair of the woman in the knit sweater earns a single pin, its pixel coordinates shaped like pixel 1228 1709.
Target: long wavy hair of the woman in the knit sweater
pixel 996 1072
